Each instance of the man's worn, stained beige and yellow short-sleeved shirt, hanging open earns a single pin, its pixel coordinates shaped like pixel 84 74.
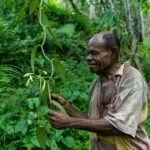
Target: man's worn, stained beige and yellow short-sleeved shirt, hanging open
pixel 127 111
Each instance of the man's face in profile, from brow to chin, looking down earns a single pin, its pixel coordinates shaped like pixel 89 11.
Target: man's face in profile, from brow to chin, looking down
pixel 99 58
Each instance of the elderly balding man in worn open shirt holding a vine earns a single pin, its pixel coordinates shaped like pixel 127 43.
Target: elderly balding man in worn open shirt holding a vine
pixel 118 101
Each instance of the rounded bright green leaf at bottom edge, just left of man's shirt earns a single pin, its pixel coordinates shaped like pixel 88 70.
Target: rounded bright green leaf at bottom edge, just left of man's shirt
pixel 68 141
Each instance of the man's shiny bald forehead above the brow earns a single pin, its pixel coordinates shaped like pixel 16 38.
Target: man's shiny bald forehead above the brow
pixel 97 40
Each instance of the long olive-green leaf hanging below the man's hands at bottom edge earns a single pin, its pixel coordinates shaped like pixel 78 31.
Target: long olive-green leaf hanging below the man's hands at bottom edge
pixel 41 135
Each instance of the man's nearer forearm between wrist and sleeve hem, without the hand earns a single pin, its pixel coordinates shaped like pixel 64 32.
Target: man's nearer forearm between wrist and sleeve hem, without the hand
pixel 100 126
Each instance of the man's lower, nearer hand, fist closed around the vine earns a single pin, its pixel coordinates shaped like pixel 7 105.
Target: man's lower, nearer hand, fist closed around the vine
pixel 59 120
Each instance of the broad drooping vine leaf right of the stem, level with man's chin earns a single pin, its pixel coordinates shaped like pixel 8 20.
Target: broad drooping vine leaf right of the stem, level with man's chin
pixel 59 68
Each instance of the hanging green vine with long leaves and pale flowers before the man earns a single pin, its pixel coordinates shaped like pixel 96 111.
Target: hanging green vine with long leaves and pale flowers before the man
pixel 44 78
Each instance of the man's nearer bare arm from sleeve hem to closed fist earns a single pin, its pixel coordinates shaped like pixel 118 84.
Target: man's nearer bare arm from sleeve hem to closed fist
pixel 101 126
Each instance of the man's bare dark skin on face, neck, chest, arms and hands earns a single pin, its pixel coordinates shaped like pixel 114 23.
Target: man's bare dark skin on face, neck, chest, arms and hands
pixel 102 62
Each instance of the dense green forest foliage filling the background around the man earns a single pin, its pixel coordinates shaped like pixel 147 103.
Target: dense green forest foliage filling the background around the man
pixel 43 50
